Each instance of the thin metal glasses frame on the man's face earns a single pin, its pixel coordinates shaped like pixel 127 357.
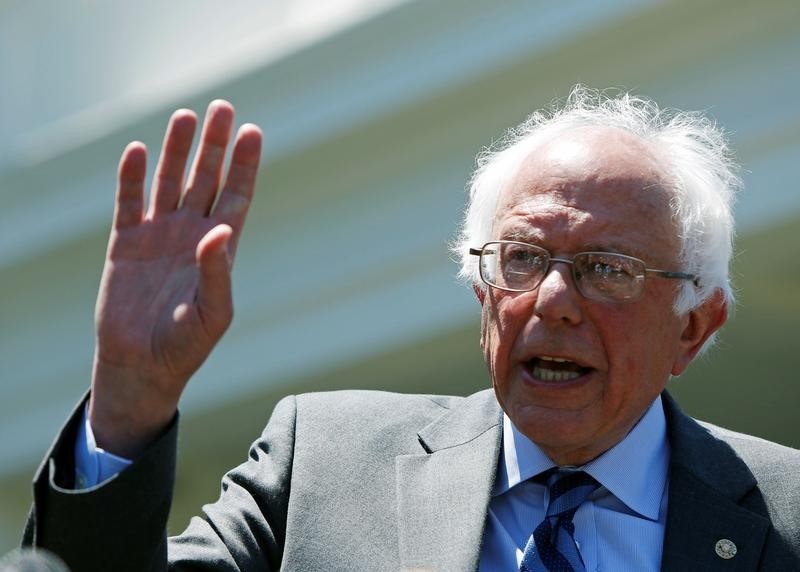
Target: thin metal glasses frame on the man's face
pixel 648 272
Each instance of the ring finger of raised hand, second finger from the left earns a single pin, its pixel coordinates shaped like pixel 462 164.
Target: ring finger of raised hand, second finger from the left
pixel 168 181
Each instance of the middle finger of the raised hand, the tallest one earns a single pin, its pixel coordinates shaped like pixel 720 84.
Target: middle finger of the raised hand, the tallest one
pixel 206 172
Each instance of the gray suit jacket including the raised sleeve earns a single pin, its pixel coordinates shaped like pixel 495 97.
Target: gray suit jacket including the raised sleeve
pixel 377 481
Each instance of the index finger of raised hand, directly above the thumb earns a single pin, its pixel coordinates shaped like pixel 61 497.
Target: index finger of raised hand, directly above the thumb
pixel 236 196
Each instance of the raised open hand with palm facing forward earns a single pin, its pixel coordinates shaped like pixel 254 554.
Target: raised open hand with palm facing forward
pixel 165 295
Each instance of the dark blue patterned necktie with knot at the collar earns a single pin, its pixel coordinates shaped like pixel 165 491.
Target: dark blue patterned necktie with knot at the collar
pixel 552 547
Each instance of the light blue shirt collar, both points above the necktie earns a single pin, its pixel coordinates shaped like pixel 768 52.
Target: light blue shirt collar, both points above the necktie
pixel 634 470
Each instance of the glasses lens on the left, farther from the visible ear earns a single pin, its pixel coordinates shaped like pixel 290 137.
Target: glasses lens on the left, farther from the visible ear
pixel 513 265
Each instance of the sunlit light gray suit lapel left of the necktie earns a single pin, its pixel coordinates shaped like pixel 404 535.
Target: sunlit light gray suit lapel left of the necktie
pixel 443 492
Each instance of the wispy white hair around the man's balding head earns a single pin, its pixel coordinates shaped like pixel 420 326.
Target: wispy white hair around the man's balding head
pixel 701 175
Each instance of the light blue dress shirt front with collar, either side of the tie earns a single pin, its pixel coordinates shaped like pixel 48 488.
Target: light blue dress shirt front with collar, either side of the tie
pixel 620 527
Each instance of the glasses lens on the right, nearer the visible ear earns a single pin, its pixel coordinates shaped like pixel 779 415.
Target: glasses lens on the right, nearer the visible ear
pixel 614 277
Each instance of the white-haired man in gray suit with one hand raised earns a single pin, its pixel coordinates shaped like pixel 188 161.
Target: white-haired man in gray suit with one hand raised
pixel 597 240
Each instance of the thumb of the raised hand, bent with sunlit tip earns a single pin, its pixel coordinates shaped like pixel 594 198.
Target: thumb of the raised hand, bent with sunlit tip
pixel 214 299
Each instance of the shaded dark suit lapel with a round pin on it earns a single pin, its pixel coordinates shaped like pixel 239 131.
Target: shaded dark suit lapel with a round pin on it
pixel 707 482
